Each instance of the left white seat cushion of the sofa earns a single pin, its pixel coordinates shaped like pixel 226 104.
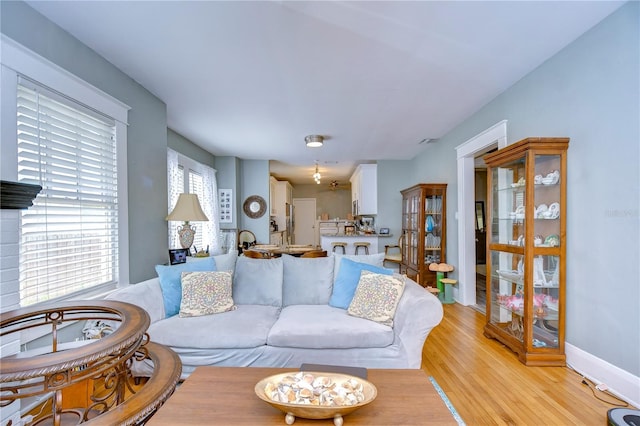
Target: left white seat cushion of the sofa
pixel 245 327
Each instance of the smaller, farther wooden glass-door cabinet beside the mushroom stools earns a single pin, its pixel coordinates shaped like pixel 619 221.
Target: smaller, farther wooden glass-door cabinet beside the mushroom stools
pixel 424 230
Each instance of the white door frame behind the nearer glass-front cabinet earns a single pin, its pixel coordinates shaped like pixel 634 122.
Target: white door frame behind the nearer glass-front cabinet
pixel 466 153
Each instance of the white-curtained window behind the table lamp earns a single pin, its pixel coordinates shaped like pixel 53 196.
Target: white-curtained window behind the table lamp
pixel 186 175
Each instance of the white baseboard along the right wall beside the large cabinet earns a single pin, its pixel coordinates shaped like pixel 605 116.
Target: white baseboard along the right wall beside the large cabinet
pixel 620 382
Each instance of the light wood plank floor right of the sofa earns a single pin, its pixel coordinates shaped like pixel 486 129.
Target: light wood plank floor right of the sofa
pixel 487 384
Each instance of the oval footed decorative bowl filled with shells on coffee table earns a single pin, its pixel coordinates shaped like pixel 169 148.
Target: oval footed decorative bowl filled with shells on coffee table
pixel 308 411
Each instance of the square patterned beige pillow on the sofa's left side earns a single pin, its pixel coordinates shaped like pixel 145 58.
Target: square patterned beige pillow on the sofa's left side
pixel 206 293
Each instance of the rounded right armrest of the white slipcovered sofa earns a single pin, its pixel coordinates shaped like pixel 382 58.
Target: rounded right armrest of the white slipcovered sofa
pixel 418 312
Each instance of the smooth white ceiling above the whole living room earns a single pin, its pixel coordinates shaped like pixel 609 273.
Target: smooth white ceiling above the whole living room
pixel 252 79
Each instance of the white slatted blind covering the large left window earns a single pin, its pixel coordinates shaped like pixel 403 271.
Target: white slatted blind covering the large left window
pixel 69 237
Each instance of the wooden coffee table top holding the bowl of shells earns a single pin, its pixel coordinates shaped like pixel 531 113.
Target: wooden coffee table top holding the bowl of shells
pixel 225 396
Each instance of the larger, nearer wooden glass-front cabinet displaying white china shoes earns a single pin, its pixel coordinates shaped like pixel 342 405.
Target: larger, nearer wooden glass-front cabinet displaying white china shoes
pixel 526 249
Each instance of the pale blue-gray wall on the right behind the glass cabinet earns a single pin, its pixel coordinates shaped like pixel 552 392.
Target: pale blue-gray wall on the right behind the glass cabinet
pixel 589 92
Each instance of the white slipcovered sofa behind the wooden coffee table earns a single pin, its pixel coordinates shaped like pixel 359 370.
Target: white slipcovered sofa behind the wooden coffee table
pixel 283 319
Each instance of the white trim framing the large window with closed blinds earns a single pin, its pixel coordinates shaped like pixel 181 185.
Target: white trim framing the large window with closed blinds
pixel 17 59
